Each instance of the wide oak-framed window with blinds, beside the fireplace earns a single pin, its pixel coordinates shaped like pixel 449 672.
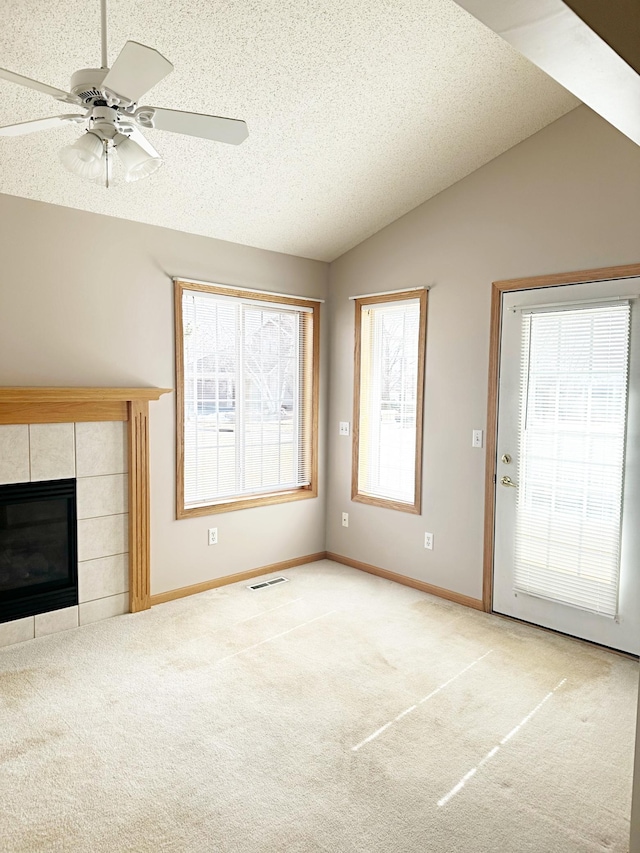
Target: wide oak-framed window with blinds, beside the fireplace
pixel 247 382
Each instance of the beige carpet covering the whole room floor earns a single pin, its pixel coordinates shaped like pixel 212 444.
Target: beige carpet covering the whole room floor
pixel 337 712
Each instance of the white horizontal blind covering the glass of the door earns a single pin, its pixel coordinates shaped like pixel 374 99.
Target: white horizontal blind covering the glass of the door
pixel 573 410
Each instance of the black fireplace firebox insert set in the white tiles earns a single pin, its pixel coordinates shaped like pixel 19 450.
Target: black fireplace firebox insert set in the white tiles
pixel 38 548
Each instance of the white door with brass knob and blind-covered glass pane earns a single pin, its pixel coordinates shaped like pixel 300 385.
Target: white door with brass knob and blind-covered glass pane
pixel 567 535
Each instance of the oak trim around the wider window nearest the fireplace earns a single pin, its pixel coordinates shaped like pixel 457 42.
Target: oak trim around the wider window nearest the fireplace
pixel 311 391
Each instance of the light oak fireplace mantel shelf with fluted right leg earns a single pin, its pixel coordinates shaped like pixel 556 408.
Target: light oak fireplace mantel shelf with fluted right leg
pixel 31 405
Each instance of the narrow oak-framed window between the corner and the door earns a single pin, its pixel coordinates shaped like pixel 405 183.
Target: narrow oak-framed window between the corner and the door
pixel 389 381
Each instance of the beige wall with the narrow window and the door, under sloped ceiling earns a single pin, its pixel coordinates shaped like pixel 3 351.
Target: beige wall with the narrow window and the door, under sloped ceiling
pixel 565 199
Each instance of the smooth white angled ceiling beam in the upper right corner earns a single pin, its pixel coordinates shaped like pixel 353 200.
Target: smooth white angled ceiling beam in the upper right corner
pixel 559 42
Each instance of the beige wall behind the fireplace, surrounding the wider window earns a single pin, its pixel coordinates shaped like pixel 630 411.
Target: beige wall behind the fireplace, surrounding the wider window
pixel 88 300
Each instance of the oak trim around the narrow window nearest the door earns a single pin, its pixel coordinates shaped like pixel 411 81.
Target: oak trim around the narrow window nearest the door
pixel 416 507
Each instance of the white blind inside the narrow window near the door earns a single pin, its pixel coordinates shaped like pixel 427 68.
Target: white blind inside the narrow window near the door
pixel 389 336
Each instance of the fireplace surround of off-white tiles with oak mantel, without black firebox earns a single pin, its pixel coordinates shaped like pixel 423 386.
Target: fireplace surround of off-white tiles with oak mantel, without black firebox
pixel 100 436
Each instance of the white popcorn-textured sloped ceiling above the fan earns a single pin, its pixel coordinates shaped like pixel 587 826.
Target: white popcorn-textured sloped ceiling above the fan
pixel 358 111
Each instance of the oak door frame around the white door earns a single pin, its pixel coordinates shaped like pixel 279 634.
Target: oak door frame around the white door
pixel 497 289
